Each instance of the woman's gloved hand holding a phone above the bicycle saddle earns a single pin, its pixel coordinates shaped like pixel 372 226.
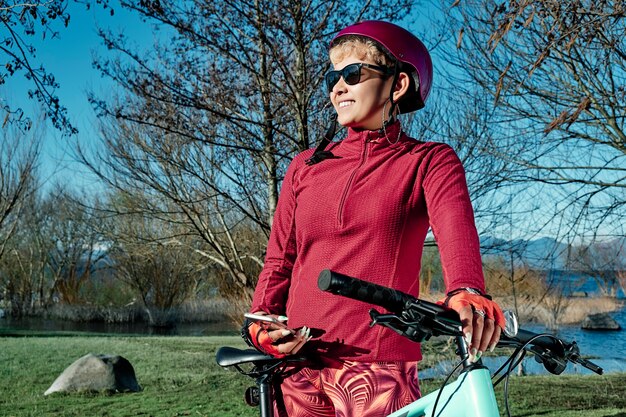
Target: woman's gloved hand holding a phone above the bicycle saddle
pixel 277 340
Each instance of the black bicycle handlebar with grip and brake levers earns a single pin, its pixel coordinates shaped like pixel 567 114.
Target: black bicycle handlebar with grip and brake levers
pixel 430 319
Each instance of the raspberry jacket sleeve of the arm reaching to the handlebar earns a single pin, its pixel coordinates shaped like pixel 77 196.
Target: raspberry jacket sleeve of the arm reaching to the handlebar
pixel 452 220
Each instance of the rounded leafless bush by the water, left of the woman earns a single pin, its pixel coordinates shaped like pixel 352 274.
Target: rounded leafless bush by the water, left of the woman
pixel 158 258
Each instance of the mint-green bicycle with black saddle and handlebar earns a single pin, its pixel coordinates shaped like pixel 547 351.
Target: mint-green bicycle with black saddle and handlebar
pixel 470 394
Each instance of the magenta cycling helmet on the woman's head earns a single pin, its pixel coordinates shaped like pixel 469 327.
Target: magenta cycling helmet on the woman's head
pixel 406 49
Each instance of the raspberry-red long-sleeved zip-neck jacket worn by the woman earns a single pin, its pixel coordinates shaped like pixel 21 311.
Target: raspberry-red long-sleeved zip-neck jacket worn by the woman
pixel 366 213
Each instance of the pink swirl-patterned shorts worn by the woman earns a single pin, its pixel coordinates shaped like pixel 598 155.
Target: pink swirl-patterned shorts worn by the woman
pixel 345 389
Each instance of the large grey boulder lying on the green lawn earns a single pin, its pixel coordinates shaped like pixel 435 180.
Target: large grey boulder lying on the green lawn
pixel 97 373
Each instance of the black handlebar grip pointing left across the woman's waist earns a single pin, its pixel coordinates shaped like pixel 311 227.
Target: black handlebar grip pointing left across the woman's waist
pixel 340 284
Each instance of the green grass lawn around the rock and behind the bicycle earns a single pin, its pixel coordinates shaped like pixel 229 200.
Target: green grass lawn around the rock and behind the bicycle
pixel 179 377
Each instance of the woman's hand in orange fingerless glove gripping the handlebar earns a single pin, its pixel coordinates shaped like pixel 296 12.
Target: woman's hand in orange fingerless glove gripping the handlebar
pixel 482 321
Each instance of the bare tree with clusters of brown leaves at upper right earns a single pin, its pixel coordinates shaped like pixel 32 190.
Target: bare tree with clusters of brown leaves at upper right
pixel 556 73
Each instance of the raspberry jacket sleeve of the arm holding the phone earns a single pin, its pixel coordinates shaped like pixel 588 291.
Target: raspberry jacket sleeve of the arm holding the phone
pixel 272 288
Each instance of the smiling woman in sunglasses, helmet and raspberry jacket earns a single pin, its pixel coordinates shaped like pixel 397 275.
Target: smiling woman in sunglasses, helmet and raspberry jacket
pixel 362 207
